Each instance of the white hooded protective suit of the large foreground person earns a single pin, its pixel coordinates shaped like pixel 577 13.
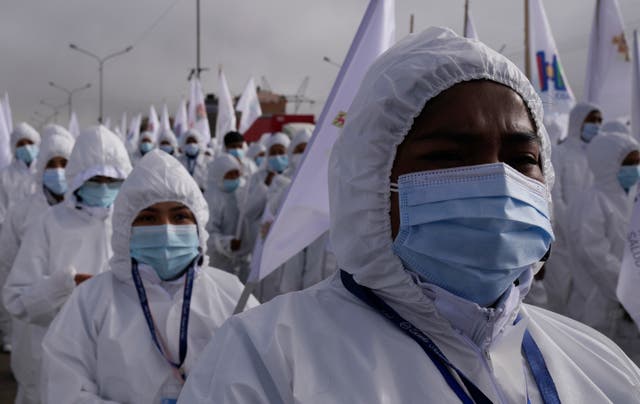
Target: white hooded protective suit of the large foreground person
pixel 324 345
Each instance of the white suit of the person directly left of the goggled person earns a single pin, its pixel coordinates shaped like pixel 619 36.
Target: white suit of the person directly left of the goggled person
pixel 30 209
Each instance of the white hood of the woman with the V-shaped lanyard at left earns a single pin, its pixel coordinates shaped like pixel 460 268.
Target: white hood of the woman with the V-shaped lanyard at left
pixel 158 177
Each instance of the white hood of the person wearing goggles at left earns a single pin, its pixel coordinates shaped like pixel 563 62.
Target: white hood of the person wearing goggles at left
pixel 97 151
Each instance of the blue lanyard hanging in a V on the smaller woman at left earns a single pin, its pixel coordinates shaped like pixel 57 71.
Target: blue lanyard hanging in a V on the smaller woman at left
pixel 184 318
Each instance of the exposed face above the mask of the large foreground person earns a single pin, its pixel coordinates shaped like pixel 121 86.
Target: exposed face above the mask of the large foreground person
pixel 472 123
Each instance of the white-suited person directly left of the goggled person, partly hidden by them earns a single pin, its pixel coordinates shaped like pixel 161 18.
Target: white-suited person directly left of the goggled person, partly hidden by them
pixel 54 152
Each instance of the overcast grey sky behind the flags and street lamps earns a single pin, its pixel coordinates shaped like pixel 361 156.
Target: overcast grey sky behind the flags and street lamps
pixel 284 40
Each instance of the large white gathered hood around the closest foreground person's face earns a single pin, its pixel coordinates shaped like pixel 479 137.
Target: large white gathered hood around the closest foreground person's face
pixel 392 93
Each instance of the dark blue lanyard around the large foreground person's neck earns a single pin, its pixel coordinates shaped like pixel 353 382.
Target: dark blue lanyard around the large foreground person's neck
pixel 536 361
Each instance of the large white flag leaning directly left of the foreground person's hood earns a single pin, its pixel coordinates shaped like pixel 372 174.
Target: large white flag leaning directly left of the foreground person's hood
pixel 306 206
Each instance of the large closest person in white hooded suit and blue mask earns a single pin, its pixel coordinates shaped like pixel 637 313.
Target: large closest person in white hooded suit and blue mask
pixel 439 179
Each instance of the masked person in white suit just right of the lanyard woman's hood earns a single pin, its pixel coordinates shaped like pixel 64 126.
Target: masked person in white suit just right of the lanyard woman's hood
pixel 230 240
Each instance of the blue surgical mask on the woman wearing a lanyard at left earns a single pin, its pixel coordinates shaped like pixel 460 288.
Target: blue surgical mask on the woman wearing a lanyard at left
pixel 168 249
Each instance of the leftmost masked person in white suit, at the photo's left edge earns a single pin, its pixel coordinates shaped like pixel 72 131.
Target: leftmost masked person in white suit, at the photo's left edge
pixel 17 179
